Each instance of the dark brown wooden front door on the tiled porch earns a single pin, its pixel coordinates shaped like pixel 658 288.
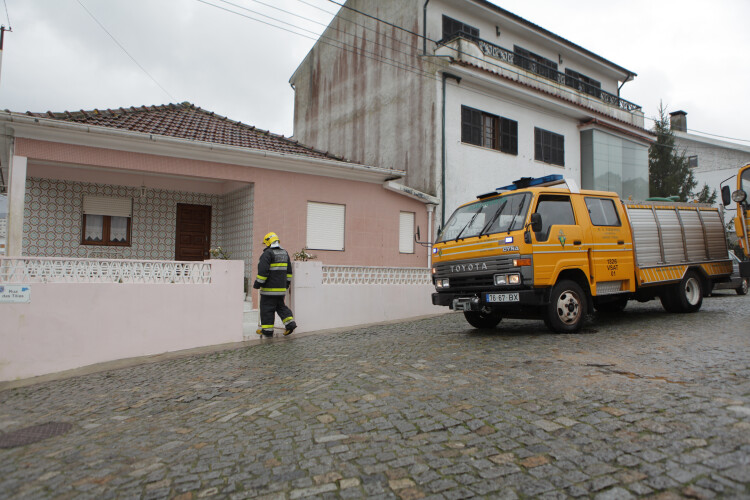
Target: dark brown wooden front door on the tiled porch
pixel 193 238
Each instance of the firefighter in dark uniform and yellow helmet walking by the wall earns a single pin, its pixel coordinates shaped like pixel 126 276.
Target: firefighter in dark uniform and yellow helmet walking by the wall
pixel 274 276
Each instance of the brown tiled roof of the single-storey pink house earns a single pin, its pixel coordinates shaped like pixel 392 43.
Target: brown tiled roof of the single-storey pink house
pixel 187 121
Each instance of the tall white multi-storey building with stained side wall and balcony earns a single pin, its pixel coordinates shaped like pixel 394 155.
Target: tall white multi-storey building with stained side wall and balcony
pixel 465 97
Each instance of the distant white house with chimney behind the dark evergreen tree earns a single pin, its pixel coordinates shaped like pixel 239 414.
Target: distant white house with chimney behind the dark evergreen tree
pixel 713 161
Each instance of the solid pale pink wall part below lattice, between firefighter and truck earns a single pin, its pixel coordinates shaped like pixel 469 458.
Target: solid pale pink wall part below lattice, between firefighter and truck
pixel 319 306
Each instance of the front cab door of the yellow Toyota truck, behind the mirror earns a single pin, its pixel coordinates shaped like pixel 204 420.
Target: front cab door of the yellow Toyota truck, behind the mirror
pixel 559 245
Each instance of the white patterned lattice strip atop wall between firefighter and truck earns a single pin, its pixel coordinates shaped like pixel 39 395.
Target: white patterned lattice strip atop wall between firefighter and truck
pixel 363 275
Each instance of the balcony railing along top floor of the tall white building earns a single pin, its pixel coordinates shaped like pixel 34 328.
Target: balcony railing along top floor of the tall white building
pixel 510 57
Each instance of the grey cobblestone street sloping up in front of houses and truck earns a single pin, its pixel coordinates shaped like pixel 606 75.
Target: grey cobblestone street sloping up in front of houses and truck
pixel 639 404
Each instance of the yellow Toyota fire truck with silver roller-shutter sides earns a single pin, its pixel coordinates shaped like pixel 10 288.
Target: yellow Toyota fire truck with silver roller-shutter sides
pixel 542 248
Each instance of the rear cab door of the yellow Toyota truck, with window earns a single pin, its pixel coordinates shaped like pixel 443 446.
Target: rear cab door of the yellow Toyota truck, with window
pixel 611 249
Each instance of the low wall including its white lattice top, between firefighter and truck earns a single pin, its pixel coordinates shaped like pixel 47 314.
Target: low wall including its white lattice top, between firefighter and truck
pixel 326 297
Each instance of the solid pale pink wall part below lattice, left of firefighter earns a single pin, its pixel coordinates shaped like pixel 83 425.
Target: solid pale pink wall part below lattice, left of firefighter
pixel 70 325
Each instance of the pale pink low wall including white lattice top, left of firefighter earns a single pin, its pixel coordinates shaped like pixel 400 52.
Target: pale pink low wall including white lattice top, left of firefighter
pixel 85 311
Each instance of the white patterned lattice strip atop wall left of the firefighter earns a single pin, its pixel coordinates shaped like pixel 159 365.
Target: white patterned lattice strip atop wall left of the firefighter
pixel 21 270
